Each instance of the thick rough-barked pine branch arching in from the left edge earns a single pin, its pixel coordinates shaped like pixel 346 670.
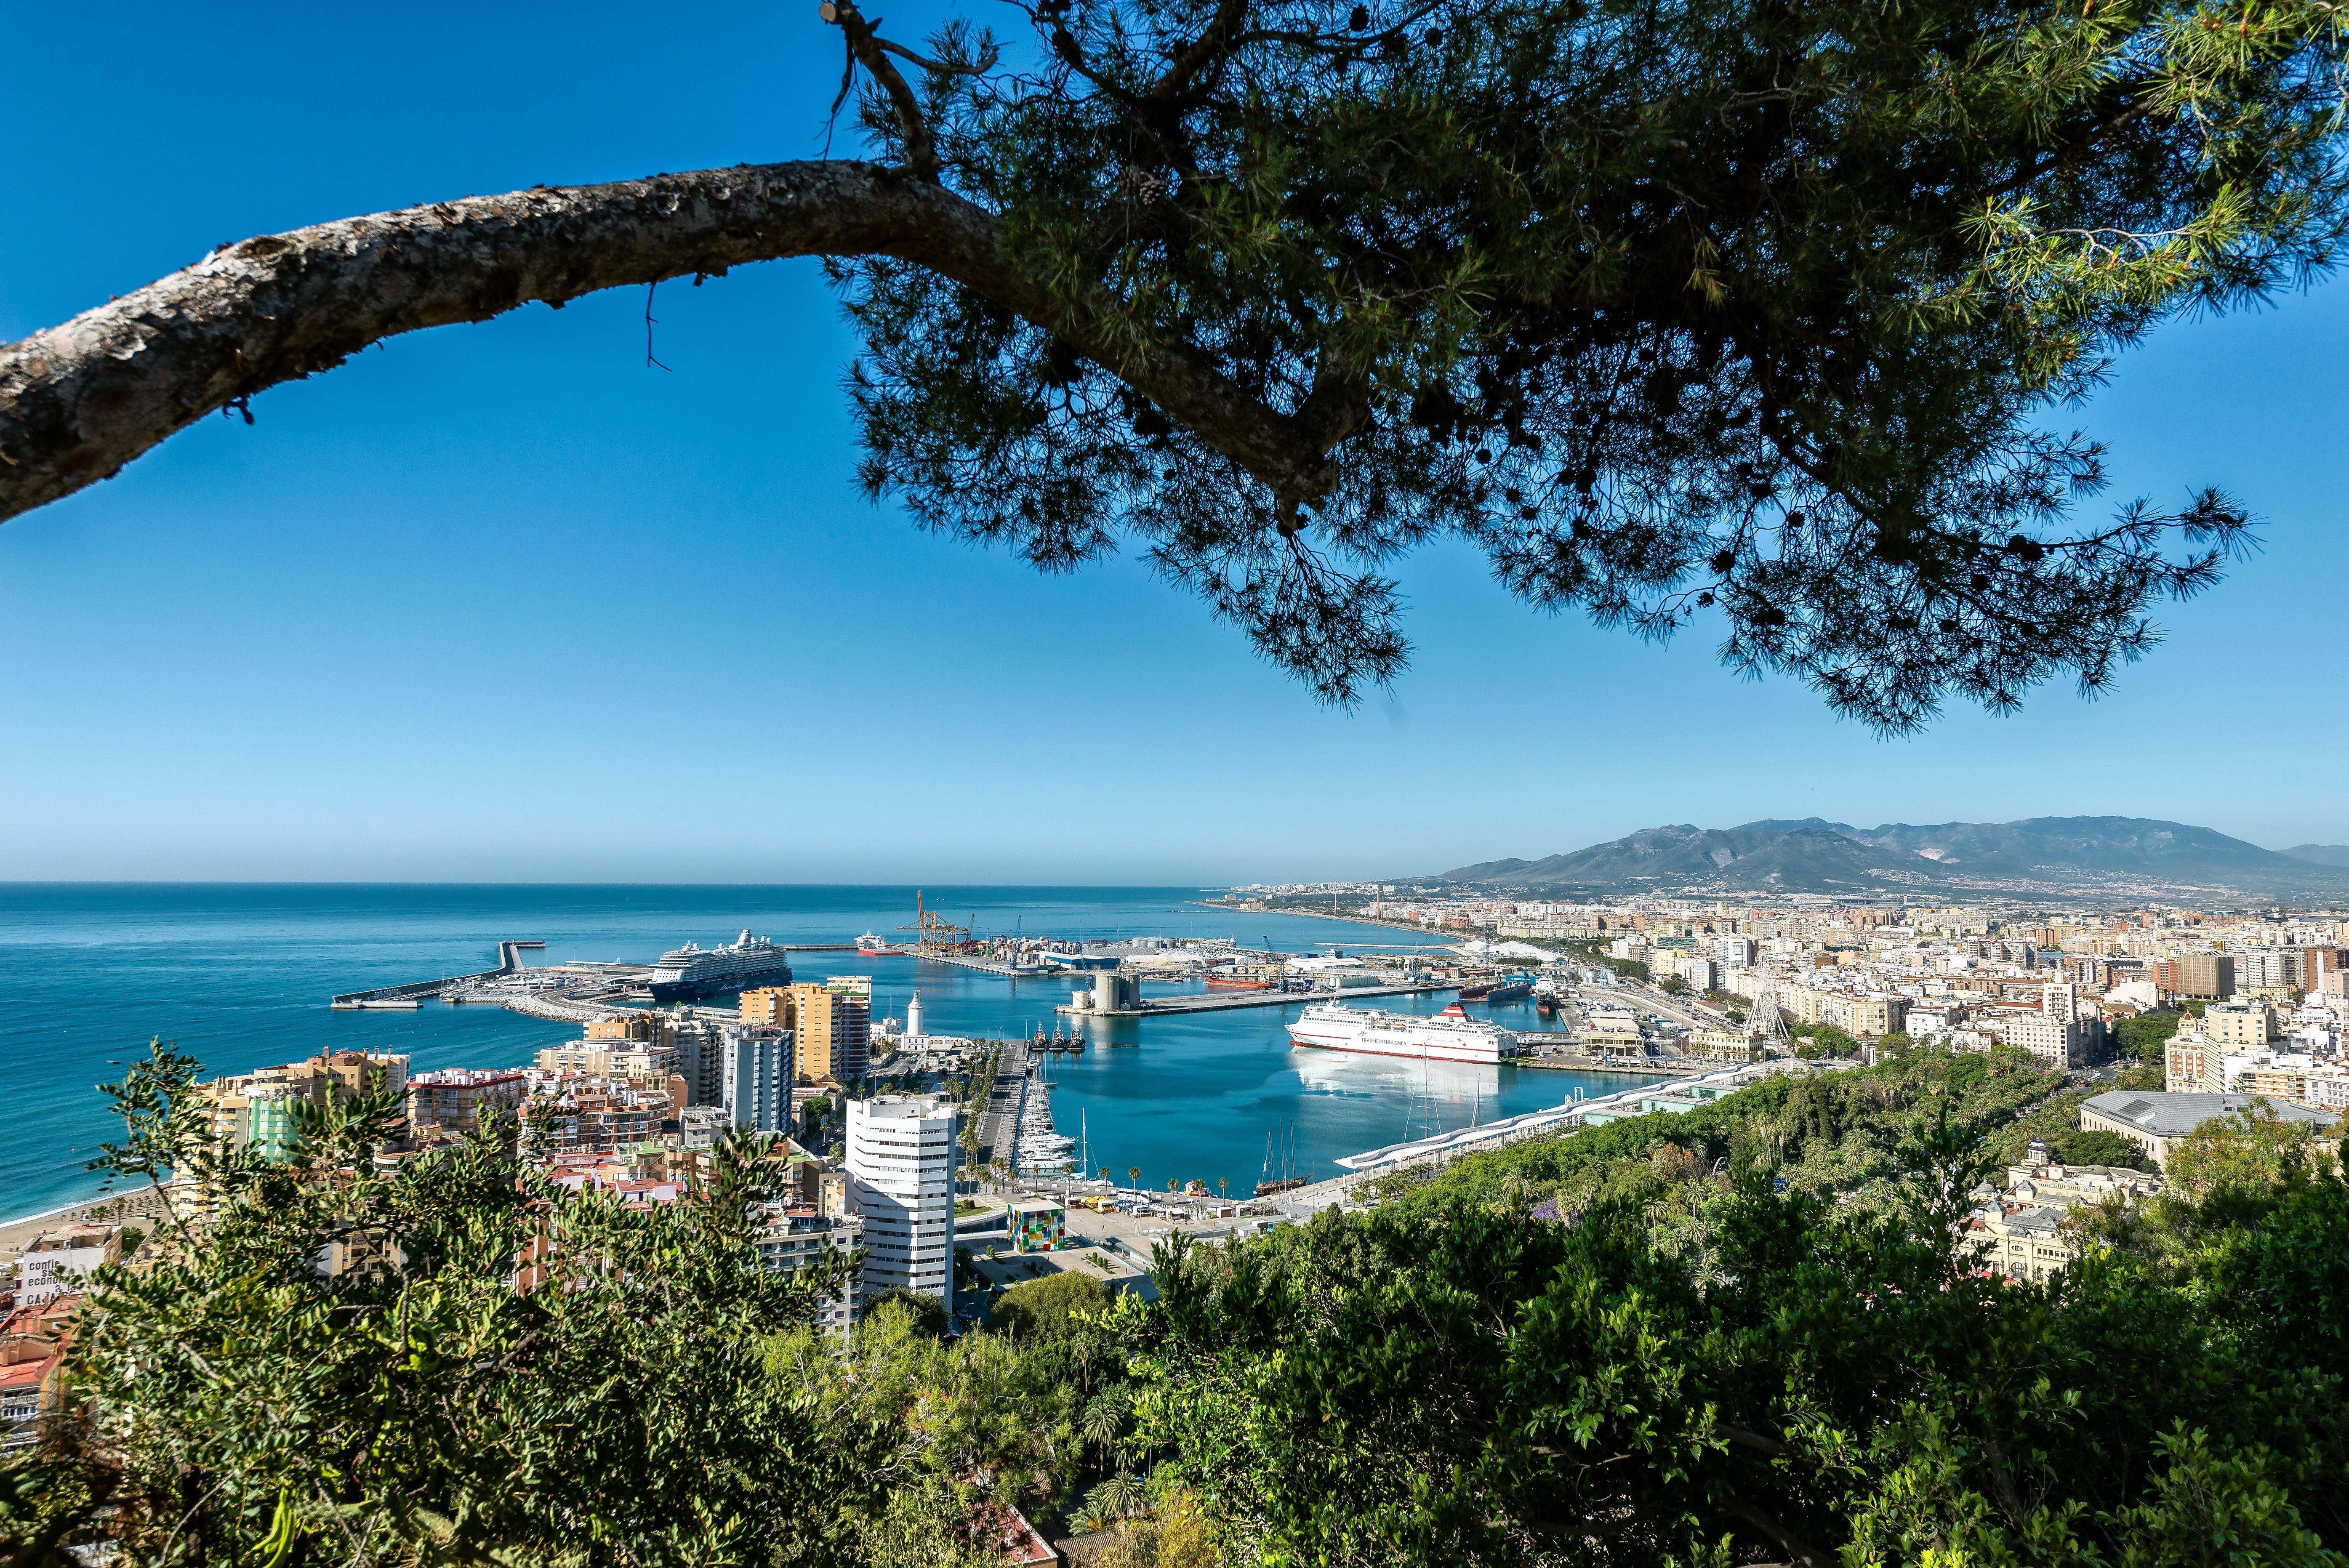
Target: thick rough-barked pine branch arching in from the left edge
pixel 86 398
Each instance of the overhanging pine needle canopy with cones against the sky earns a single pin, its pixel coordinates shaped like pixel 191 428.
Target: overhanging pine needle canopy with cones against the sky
pixel 1662 306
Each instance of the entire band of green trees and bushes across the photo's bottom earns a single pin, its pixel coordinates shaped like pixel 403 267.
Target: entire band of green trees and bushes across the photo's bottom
pixel 1714 1358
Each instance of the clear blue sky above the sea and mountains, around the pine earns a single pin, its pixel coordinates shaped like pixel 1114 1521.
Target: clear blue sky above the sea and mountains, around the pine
pixel 504 604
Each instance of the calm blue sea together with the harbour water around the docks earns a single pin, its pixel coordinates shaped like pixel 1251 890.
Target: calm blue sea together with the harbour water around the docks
pixel 241 975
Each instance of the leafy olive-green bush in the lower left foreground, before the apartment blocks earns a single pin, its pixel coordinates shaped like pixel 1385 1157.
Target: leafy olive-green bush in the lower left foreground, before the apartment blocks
pixel 410 1400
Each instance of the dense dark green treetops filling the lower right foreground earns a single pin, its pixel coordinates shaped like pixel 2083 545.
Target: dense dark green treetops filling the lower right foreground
pixel 1467 1386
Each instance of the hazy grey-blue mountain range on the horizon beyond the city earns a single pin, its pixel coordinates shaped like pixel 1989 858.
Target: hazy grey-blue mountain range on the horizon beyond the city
pixel 2038 856
